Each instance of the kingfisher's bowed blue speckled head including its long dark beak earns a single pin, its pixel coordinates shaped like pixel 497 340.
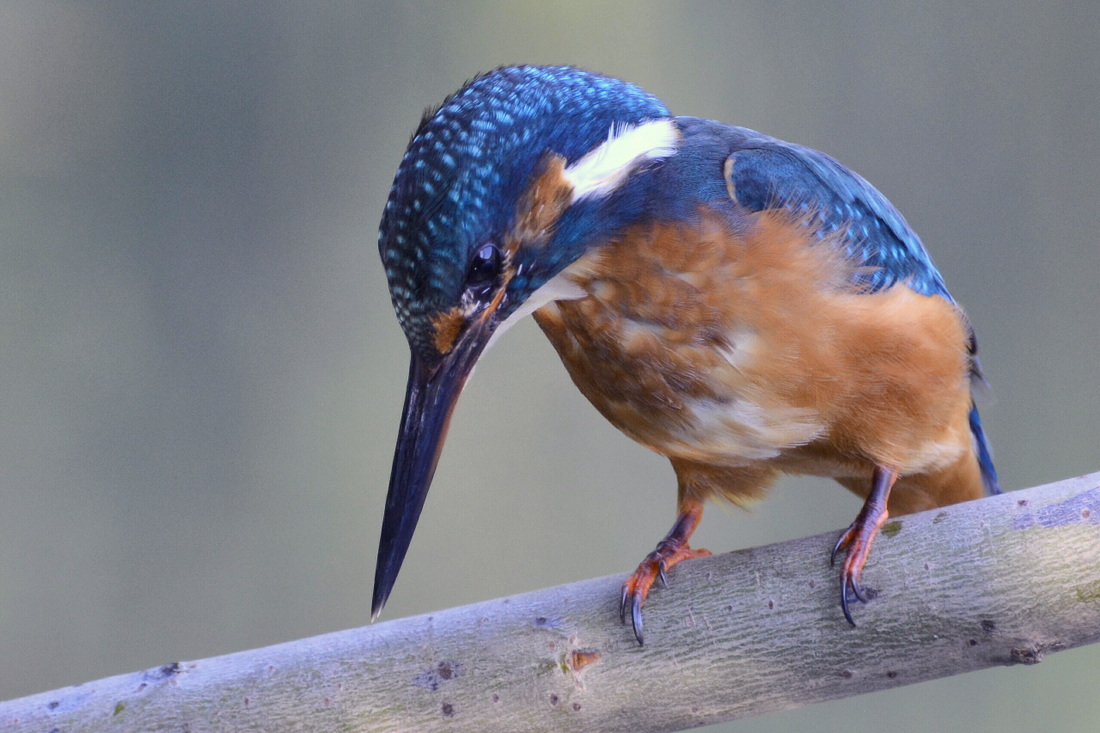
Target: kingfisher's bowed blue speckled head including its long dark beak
pixel 501 189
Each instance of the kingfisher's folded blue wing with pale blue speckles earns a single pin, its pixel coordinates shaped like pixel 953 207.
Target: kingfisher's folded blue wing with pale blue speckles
pixel 769 173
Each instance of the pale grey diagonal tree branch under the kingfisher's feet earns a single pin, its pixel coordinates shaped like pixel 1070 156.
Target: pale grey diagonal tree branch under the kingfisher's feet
pixel 999 582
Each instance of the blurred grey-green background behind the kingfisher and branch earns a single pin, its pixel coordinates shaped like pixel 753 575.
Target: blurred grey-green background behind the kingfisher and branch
pixel 202 373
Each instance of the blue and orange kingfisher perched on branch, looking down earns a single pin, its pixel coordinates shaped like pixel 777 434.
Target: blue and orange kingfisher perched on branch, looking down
pixel 745 307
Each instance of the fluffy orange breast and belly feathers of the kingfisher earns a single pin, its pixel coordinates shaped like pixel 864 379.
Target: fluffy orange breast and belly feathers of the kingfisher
pixel 728 348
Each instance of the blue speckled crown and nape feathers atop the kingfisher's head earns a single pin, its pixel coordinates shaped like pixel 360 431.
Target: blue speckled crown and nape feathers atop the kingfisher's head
pixel 470 160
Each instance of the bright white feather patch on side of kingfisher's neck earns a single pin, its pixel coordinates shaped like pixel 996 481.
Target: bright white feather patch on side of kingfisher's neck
pixel 606 168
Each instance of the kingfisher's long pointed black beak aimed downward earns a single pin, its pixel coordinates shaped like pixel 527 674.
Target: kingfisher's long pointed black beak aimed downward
pixel 430 402
